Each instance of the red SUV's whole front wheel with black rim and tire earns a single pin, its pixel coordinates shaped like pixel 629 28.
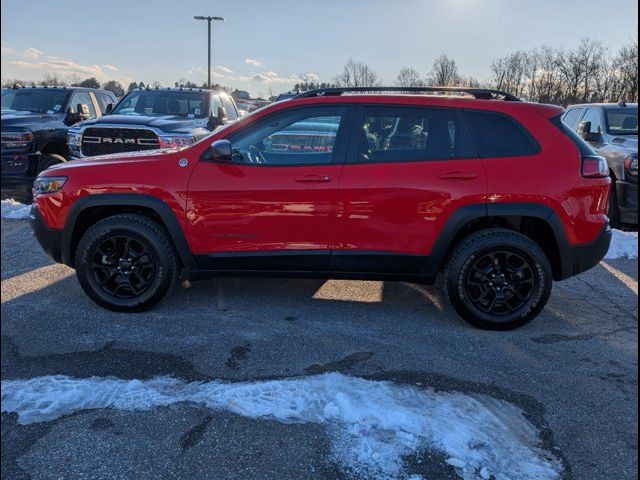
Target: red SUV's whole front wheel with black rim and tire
pixel 126 248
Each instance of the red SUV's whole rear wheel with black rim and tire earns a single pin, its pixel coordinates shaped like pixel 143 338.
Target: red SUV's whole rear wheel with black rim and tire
pixel 520 286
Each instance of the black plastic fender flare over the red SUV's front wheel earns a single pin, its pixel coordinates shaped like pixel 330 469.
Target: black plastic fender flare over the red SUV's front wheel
pixel 160 207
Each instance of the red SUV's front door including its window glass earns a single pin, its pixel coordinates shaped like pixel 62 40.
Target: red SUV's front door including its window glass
pixel 273 207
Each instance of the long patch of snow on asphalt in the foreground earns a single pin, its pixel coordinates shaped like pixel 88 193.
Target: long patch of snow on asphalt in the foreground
pixel 374 424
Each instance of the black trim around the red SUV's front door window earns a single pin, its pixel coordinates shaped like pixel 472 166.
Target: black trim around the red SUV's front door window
pixel 342 137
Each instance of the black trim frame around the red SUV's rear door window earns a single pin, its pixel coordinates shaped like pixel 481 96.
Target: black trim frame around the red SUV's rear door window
pixel 354 154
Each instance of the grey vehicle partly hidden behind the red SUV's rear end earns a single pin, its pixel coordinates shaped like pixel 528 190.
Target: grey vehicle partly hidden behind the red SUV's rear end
pixel 612 130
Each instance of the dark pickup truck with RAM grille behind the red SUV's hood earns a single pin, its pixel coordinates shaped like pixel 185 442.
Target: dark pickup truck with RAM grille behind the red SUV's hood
pixel 150 119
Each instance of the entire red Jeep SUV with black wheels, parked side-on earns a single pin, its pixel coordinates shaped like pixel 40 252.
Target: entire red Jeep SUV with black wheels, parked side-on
pixel 361 183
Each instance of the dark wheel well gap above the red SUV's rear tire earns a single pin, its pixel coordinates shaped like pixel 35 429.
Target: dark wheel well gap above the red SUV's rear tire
pixel 535 228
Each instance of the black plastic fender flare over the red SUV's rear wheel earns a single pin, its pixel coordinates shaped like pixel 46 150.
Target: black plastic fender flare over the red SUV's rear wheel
pixel 461 217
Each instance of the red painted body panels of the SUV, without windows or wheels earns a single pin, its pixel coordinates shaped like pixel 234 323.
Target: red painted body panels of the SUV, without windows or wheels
pixel 390 207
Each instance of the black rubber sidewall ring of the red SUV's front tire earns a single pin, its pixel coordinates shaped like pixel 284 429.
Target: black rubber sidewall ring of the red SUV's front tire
pixel 94 237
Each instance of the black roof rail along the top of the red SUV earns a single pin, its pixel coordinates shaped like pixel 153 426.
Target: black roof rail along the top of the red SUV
pixel 478 93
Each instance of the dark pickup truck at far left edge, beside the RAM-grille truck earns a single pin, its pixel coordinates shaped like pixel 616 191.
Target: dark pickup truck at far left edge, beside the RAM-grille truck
pixel 35 121
